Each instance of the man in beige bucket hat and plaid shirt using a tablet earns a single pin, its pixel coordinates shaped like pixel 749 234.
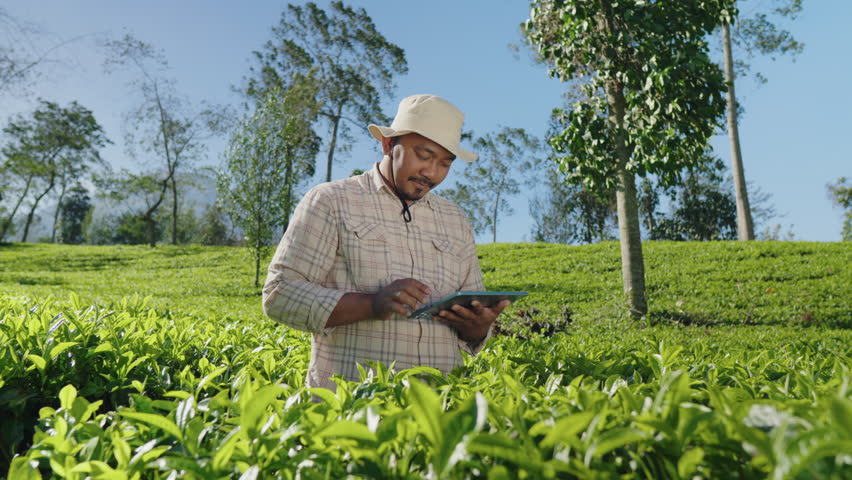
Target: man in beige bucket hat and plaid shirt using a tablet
pixel 360 254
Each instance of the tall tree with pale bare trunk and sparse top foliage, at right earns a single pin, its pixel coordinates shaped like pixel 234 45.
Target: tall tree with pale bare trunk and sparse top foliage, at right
pixel 755 34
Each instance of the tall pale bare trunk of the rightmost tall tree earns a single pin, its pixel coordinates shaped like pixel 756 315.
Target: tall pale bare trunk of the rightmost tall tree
pixel 745 227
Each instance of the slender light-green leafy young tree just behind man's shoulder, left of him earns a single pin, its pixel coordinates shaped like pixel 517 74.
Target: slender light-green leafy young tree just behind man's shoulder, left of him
pixel 270 153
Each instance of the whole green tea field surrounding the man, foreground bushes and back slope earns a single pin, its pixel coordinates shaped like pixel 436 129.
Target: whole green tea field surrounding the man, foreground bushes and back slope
pixel 737 375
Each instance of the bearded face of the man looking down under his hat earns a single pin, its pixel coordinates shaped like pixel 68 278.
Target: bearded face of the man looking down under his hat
pixel 419 164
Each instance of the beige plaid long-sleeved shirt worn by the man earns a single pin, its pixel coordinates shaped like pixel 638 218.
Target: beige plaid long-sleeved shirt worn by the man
pixel 349 236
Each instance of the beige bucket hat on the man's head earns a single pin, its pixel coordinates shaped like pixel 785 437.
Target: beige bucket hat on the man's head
pixel 430 116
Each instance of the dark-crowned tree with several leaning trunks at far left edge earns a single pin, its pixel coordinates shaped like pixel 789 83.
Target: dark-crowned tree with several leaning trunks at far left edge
pixel 54 145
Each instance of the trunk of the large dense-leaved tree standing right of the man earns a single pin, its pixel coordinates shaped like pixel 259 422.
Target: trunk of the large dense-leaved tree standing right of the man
pixel 632 262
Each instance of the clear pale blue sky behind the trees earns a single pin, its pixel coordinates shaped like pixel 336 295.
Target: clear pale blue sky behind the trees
pixel 793 132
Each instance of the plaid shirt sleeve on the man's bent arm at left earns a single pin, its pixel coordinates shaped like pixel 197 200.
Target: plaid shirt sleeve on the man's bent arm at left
pixel 293 293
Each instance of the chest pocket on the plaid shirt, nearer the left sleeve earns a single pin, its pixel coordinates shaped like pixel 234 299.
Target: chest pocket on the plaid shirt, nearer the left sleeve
pixel 366 248
